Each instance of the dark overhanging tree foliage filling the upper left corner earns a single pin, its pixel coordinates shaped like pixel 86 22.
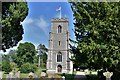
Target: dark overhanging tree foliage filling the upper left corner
pixel 13 13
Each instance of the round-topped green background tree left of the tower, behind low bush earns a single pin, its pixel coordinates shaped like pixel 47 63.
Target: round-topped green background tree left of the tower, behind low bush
pixel 25 53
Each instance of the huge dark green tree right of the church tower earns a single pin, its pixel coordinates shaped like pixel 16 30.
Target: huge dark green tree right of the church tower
pixel 97 31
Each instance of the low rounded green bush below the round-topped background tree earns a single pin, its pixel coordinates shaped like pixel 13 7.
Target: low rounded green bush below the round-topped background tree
pixel 27 67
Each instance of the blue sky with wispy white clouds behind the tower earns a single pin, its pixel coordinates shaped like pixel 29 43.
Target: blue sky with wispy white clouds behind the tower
pixel 37 24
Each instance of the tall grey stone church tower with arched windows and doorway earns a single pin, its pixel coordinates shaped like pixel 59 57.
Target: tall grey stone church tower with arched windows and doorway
pixel 58 54
